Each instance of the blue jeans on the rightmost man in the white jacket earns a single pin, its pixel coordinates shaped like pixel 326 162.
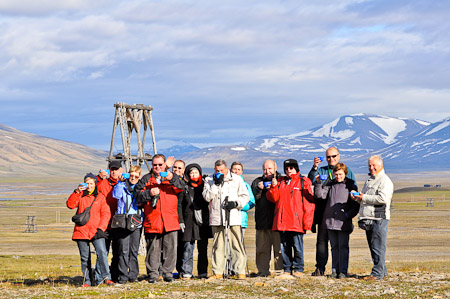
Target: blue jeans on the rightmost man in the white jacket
pixel 377 238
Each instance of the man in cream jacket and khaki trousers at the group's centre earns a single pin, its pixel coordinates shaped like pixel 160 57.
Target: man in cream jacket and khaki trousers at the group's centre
pixel 226 192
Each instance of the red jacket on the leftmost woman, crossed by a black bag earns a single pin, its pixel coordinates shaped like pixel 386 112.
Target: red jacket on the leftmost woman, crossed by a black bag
pixel 100 214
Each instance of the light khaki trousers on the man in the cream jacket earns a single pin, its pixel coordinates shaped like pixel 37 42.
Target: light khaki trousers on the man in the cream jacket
pixel 238 257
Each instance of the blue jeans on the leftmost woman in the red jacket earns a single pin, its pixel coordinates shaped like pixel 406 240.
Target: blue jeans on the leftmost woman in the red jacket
pixel 102 267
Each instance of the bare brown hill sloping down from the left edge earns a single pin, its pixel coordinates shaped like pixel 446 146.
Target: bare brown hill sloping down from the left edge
pixel 26 154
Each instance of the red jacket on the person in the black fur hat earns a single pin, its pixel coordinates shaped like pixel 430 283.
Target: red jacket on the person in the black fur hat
pixel 294 207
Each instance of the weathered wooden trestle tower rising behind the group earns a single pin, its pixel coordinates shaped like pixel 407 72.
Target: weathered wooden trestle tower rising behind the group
pixel 137 119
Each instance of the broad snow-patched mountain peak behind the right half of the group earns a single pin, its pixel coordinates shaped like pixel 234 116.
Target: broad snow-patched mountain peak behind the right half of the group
pixel 352 134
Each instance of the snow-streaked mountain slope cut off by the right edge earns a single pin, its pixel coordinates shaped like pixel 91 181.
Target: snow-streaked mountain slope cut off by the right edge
pixel 428 149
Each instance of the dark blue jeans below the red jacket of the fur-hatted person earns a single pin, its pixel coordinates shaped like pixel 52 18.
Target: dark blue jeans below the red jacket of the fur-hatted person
pixel 292 241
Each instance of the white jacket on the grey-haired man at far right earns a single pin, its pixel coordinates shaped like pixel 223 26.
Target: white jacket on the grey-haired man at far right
pixel 376 201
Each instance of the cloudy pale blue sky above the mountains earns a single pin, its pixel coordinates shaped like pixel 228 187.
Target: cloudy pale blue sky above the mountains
pixel 219 72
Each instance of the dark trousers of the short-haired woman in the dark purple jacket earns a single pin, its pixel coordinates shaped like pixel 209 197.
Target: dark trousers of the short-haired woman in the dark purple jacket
pixel 339 250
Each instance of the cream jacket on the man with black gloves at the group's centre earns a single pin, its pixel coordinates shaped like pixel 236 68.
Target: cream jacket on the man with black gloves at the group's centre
pixel 233 186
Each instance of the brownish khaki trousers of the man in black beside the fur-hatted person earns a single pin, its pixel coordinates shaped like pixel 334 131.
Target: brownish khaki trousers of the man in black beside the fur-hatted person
pixel 266 239
